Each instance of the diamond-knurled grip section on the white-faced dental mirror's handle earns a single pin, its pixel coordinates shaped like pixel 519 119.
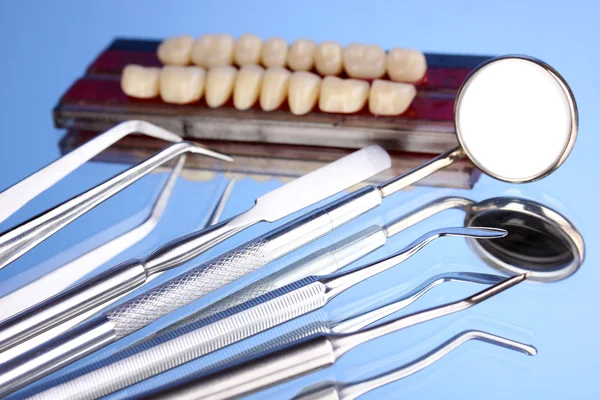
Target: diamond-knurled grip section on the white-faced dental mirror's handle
pixel 188 287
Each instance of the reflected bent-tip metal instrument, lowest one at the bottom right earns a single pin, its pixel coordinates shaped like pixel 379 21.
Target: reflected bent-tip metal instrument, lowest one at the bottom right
pixel 353 390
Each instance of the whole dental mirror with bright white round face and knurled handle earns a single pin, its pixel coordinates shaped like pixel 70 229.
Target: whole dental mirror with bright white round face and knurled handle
pixel 506 150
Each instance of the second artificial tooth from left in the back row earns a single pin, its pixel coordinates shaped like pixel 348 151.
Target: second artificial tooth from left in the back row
pixel 213 50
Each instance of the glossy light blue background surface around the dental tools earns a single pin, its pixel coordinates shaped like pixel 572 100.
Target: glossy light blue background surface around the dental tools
pixel 46 45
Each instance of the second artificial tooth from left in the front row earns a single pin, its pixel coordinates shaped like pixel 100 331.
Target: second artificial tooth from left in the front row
pixel 181 85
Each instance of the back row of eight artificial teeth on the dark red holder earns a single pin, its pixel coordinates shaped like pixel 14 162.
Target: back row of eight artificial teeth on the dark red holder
pixel 361 61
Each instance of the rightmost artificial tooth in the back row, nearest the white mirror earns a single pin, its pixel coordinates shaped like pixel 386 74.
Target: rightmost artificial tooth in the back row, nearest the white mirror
pixel 405 65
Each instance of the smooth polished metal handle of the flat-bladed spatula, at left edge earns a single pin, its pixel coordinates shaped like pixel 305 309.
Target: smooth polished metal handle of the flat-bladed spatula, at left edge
pixel 71 303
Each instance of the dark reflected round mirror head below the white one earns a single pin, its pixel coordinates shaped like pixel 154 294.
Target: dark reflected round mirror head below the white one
pixel 539 239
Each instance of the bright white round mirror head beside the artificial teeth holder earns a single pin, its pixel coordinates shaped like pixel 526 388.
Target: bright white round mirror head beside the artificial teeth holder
pixel 516 118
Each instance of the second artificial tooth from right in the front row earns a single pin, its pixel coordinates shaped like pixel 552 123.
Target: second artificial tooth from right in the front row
pixel 343 95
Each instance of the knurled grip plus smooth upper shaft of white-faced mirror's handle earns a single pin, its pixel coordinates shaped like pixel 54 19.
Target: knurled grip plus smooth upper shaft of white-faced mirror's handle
pixel 206 278
